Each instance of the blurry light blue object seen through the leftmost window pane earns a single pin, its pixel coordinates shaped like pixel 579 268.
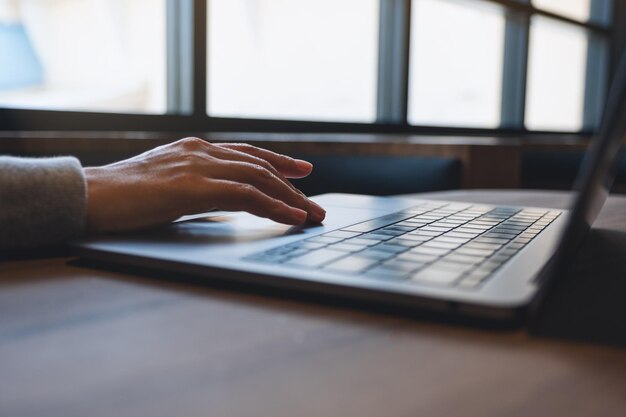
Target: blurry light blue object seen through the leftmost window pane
pixel 19 64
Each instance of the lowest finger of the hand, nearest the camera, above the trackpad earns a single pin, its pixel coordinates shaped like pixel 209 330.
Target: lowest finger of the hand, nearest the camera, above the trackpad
pixel 233 196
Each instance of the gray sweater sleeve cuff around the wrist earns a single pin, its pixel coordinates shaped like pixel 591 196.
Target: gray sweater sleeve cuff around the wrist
pixel 42 201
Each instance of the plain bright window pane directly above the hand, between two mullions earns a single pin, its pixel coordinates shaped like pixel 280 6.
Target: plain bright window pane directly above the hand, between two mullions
pixel 285 59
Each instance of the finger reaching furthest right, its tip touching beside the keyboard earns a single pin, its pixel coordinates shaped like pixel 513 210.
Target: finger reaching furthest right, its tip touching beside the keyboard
pixel 268 183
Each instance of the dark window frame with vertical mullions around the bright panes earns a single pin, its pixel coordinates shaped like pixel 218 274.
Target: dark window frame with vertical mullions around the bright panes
pixel 187 82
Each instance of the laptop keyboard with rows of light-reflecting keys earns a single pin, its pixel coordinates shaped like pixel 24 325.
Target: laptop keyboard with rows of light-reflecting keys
pixel 435 244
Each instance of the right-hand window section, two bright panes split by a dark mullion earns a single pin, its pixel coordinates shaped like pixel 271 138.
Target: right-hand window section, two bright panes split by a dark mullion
pixel 540 66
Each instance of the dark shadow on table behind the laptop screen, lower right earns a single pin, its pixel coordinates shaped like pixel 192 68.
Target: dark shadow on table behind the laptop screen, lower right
pixel 588 303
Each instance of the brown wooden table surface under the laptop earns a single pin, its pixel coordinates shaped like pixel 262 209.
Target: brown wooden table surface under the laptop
pixel 76 341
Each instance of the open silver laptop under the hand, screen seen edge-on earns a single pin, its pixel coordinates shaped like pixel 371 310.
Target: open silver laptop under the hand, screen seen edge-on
pixel 475 260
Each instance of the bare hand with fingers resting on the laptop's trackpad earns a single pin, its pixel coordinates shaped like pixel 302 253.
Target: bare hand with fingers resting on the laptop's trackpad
pixel 192 176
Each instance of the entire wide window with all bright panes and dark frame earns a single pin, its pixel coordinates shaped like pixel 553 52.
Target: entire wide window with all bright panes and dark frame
pixel 479 66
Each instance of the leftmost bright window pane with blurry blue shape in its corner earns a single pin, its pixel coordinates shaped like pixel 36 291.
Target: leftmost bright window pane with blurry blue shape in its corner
pixel 94 55
